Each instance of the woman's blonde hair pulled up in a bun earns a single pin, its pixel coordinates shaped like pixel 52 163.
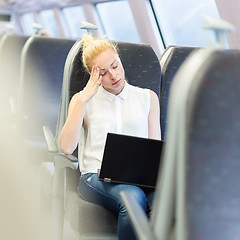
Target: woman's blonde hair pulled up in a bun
pixel 92 47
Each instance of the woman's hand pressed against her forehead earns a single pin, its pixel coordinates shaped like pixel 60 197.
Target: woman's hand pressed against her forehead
pixel 93 84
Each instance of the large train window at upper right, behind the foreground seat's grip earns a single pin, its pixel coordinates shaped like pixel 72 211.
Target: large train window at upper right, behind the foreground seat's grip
pixel 180 21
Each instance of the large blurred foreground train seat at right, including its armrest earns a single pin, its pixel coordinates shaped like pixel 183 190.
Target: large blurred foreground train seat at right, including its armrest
pixel 197 182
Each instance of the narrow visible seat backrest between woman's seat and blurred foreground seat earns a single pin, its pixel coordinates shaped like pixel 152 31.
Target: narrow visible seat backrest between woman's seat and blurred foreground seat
pixel 170 61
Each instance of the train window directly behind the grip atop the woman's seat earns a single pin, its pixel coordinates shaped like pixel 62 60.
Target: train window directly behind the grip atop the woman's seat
pixel 73 23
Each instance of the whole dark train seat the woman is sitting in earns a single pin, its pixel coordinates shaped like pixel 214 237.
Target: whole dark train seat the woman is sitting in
pixel 142 69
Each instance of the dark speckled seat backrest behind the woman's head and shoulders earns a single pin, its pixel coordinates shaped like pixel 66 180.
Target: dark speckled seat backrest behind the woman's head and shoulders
pixel 141 66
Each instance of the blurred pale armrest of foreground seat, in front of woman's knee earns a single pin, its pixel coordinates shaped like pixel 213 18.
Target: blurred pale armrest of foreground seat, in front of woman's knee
pixel 138 217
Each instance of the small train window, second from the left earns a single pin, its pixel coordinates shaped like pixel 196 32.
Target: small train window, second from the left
pixel 49 22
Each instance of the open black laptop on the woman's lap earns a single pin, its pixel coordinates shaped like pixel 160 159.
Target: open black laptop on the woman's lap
pixel 131 160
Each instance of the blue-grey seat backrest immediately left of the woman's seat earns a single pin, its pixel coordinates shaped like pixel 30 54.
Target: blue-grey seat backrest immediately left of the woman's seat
pixel 42 64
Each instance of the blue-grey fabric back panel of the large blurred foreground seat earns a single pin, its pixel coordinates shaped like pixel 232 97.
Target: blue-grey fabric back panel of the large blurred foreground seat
pixel 212 143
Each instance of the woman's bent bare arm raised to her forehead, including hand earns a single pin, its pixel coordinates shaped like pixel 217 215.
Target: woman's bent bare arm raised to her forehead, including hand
pixel 70 133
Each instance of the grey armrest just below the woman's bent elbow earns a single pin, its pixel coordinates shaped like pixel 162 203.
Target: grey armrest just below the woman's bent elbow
pixel 62 160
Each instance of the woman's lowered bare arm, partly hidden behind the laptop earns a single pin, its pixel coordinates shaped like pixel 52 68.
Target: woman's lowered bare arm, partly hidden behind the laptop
pixel 154 130
